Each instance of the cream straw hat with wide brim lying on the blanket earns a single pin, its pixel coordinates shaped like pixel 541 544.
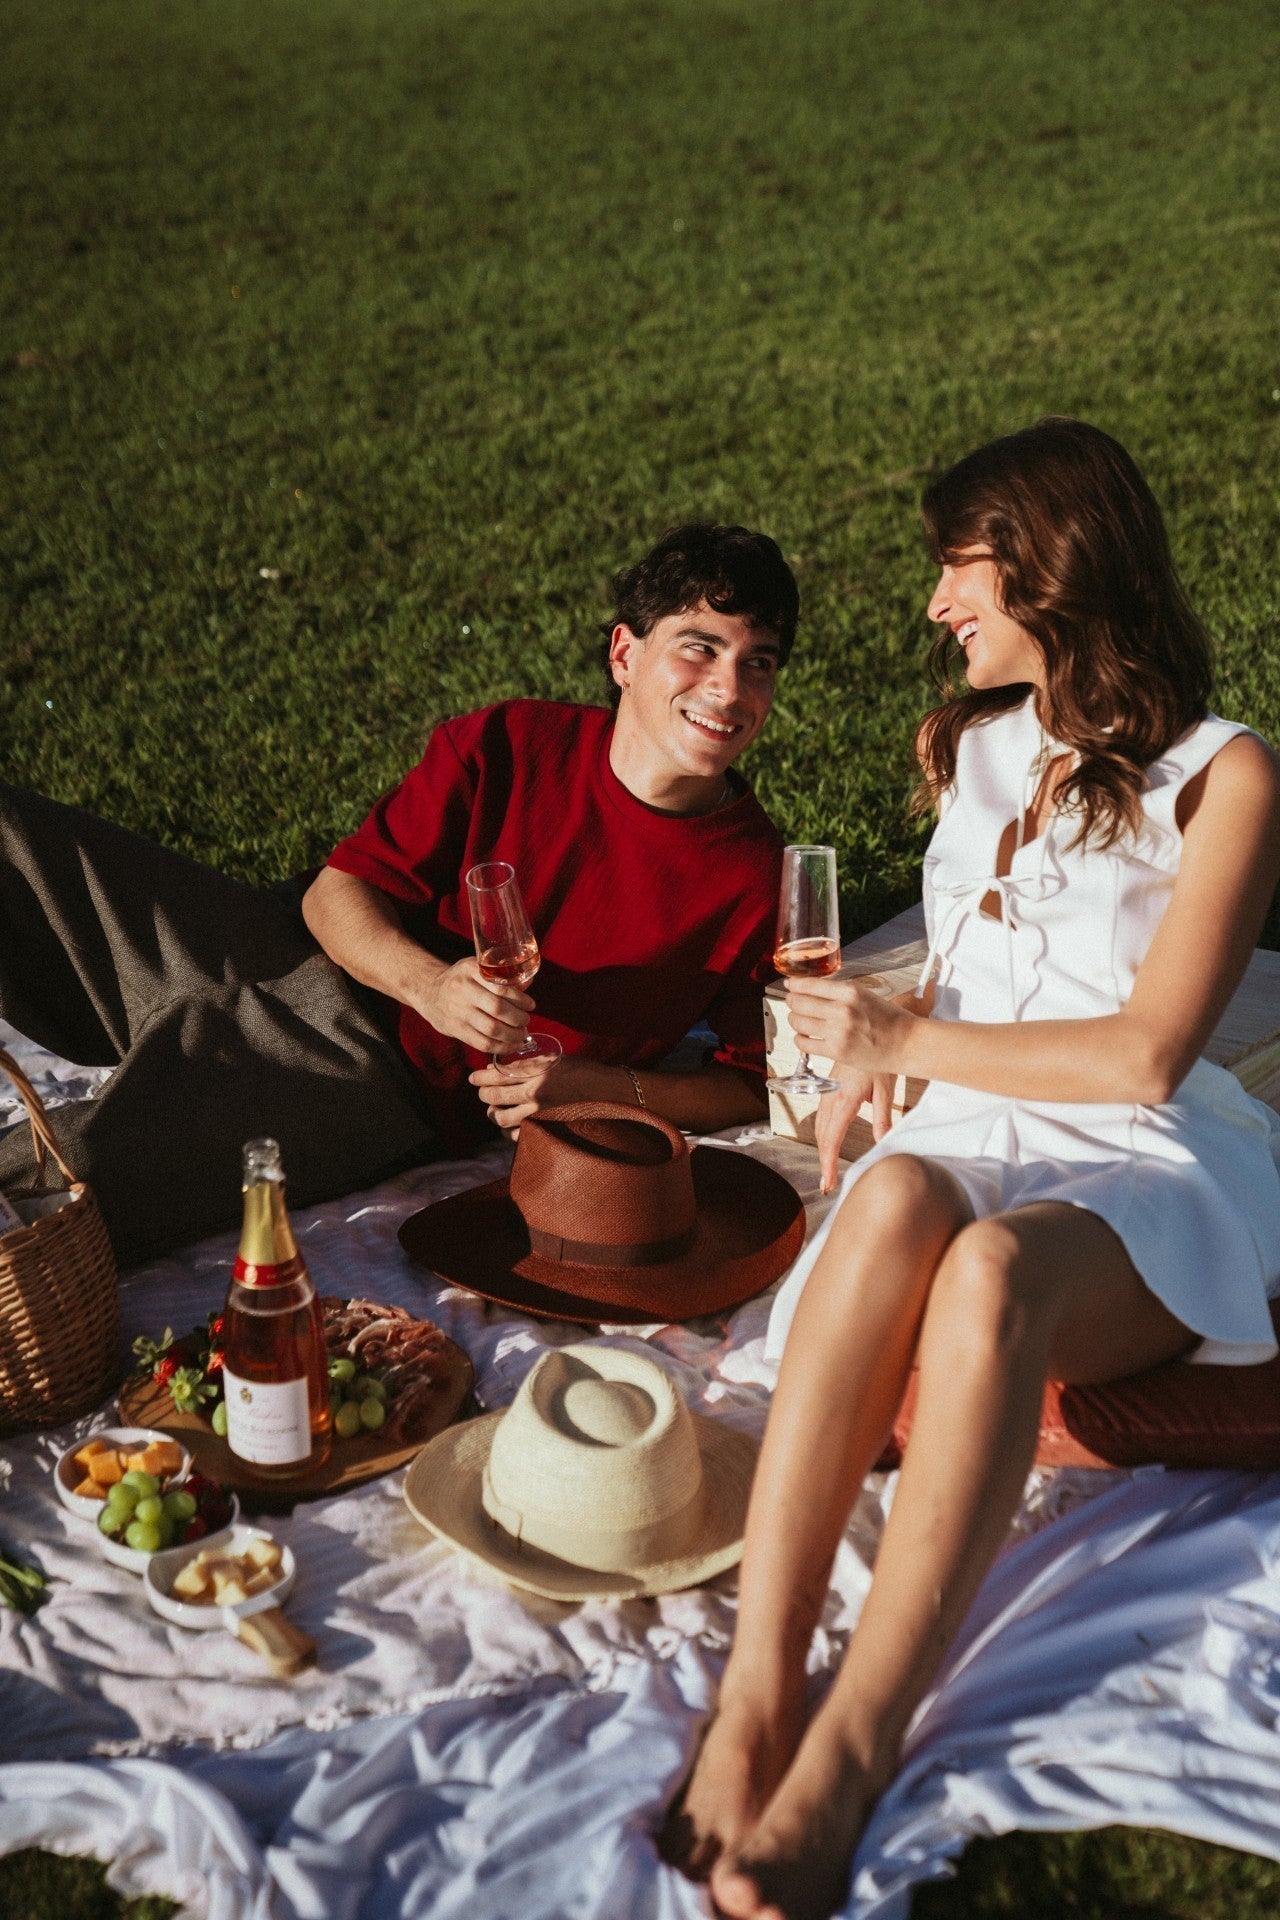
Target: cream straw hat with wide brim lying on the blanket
pixel 598 1481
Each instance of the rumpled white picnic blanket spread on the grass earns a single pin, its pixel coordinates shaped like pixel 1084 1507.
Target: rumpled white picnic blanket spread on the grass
pixel 465 1752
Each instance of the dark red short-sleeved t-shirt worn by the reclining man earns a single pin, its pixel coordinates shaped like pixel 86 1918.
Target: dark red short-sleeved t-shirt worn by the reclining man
pixel 646 923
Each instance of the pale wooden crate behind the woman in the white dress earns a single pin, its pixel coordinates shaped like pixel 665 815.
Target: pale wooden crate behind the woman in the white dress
pixel 889 959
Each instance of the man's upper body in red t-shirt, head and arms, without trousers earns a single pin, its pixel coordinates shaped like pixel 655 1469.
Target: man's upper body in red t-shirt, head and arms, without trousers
pixel 648 867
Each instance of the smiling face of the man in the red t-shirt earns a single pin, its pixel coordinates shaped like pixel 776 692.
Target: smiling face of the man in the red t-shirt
pixel 698 690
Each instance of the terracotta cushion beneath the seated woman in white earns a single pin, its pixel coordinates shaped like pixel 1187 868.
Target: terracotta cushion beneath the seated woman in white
pixel 1175 1416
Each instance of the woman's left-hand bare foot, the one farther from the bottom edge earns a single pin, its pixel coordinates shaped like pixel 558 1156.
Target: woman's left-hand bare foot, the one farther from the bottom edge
pixel 746 1752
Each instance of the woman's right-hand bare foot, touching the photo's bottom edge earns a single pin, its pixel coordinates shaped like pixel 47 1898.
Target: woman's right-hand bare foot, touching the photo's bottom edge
pixel 797 1860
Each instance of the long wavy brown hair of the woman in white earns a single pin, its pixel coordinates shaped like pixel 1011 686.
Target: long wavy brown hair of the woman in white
pixel 1085 567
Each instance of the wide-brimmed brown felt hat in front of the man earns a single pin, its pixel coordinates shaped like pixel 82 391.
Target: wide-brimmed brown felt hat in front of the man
pixel 607 1216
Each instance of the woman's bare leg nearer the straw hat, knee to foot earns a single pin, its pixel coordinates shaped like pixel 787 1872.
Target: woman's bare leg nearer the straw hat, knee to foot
pixel 840 1387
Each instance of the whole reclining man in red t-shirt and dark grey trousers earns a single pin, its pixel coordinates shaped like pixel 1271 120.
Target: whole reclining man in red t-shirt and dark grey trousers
pixel 648 867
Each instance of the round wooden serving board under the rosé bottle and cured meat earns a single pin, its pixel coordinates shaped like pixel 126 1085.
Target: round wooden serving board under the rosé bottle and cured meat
pixel 350 1462
